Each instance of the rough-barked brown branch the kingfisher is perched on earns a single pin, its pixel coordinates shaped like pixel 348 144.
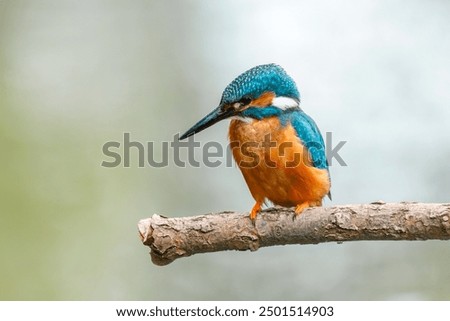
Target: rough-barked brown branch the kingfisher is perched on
pixel 172 238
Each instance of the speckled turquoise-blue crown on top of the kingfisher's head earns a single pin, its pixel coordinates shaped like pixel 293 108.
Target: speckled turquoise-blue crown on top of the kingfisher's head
pixel 258 80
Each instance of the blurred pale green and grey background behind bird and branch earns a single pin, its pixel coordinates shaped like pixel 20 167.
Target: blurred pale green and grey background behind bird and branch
pixel 77 74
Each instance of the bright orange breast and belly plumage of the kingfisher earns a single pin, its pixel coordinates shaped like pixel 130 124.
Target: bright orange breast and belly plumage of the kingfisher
pixel 275 164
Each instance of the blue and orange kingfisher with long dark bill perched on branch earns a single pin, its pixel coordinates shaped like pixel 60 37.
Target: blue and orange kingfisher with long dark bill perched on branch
pixel 276 145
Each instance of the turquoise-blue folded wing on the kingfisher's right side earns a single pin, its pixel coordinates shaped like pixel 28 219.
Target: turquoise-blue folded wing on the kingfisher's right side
pixel 310 136
